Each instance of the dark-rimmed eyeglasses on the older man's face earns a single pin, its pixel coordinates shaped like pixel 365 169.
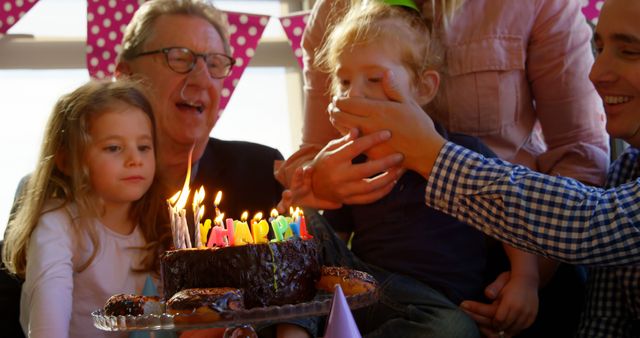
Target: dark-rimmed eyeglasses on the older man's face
pixel 182 60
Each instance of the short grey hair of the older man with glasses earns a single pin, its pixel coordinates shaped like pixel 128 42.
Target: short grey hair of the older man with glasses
pixel 140 28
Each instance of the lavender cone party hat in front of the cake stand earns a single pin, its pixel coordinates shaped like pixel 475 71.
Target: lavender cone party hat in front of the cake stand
pixel 341 323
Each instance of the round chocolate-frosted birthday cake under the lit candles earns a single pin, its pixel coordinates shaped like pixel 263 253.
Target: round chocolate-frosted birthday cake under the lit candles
pixel 274 273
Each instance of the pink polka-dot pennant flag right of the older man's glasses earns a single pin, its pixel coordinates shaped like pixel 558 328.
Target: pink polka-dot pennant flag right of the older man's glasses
pixel 245 32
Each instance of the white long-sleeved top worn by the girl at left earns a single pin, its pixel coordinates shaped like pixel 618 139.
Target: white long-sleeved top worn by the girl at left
pixel 56 300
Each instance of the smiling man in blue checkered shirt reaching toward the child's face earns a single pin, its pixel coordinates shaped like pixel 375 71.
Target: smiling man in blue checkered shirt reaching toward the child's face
pixel 556 217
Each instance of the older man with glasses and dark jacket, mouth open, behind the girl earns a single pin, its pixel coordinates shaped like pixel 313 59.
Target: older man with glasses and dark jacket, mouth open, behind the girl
pixel 180 50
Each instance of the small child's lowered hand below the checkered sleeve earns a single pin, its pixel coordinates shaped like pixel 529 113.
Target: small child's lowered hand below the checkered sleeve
pixel 517 304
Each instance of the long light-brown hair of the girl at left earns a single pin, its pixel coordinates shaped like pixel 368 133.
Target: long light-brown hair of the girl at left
pixel 66 139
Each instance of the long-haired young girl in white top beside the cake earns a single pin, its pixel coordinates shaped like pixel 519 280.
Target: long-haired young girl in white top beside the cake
pixel 86 227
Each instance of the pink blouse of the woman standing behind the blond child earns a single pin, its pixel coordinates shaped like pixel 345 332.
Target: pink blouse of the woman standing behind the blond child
pixel 517 79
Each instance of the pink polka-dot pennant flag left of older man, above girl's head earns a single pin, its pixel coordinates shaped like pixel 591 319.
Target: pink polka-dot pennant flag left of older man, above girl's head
pixel 106 21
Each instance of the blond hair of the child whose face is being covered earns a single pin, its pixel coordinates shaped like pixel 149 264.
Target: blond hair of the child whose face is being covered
pixel 367 21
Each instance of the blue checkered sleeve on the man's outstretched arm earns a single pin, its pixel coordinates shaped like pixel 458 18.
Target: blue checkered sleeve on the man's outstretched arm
pixel 556 217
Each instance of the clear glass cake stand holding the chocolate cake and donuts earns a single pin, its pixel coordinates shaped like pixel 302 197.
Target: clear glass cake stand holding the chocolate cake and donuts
pixel 240 319
